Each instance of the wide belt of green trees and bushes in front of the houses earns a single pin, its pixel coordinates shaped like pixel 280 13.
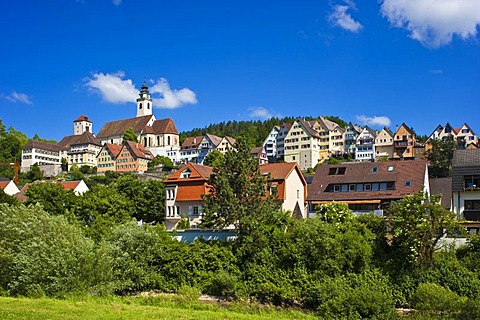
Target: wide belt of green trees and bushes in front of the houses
pixel 336 265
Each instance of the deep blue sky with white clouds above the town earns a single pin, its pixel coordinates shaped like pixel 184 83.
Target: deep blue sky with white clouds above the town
pixel 369 62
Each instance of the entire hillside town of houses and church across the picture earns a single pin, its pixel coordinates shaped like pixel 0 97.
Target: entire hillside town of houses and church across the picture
pixel 373 168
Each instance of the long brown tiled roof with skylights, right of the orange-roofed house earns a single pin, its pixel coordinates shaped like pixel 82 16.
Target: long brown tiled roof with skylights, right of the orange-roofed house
pixel 398 172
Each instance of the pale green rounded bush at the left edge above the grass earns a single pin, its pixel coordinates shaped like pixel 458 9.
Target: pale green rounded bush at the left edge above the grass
pixel 45 255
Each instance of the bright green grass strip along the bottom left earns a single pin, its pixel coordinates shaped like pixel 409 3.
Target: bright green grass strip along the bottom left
pixel 135 308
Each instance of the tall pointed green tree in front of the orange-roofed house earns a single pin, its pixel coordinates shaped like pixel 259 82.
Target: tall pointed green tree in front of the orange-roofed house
pixel 236 191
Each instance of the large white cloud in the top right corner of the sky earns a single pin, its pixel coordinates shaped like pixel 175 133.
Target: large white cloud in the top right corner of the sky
pixel 434 22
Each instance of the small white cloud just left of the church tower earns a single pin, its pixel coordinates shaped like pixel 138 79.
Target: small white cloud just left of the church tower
pixel 112 87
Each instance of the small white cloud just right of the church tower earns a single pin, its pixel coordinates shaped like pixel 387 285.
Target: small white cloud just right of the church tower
pixel 171 99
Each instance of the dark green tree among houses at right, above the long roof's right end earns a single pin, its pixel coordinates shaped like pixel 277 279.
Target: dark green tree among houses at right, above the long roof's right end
pixel 440 156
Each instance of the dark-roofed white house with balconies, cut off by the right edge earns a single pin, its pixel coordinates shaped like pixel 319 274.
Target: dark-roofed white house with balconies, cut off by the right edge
pixel 466 187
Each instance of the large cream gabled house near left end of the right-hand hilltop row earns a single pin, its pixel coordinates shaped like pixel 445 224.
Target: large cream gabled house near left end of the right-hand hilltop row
pixel 301 145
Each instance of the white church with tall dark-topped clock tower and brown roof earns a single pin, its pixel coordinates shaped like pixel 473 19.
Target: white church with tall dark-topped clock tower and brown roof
pixel 160 137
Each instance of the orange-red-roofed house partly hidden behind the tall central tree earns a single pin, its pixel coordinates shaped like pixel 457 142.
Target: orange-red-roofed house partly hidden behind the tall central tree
pixel 186 187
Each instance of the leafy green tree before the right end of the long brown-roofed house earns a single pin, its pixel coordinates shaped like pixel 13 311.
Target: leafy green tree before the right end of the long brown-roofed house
pixel 417 223
